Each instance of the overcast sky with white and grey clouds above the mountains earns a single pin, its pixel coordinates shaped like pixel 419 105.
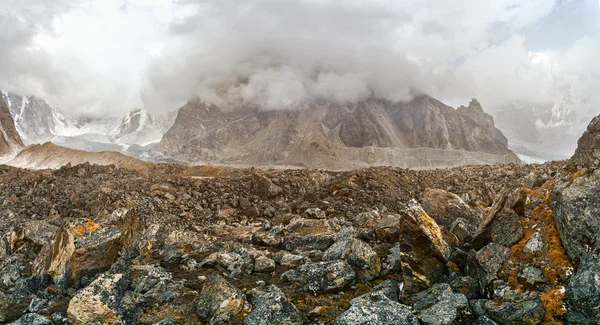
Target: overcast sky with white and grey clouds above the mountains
pixel 105 57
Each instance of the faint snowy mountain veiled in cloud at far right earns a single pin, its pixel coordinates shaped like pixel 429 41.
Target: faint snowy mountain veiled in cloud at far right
pixel 550 131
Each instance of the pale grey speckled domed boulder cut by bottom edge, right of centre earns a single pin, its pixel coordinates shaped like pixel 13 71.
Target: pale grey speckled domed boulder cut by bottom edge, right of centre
pixel 377 311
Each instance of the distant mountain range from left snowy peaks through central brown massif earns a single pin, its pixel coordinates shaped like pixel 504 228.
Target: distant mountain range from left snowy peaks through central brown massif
pixel 422 133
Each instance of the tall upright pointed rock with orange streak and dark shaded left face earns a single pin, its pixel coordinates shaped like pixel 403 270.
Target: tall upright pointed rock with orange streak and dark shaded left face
pixel 423 251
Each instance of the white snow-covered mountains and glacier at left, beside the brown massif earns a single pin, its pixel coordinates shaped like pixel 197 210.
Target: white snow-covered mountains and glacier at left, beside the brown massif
pixel 39 122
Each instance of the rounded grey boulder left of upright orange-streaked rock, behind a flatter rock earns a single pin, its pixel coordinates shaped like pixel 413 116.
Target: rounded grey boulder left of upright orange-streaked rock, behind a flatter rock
pixel 358 254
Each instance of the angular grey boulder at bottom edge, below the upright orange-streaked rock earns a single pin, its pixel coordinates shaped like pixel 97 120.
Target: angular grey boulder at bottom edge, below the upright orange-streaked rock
pixel 439 305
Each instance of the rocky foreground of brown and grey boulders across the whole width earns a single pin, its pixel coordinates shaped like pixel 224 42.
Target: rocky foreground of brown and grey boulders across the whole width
pixel 506 244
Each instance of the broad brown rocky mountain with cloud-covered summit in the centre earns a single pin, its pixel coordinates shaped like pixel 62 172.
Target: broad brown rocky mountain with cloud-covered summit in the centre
pixel 420 133
